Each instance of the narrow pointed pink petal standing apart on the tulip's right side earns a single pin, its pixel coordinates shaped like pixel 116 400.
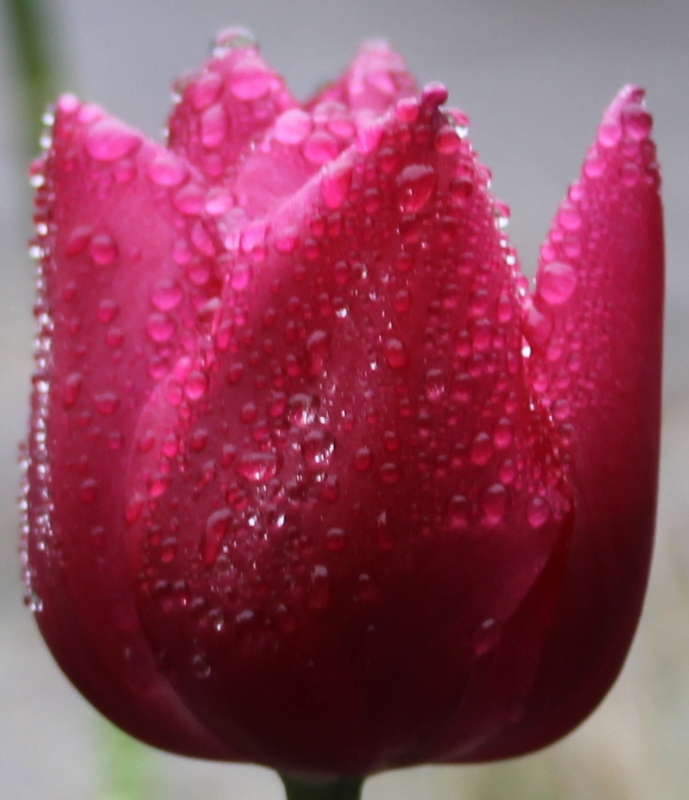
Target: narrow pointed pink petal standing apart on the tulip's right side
pixel 596 330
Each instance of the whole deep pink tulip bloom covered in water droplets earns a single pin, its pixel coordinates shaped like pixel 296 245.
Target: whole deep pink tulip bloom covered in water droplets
pixel 314 478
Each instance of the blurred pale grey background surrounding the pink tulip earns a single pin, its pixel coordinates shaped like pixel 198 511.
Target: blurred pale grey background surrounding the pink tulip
pixel 534 76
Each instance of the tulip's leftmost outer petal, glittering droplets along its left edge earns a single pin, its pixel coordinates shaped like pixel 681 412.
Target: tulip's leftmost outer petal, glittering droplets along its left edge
pixel 106 224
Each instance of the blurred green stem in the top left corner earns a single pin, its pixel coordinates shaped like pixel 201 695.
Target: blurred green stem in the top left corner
pixel 29 29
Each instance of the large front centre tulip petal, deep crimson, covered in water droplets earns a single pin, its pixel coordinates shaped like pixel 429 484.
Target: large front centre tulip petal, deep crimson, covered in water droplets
pixel 361 446
